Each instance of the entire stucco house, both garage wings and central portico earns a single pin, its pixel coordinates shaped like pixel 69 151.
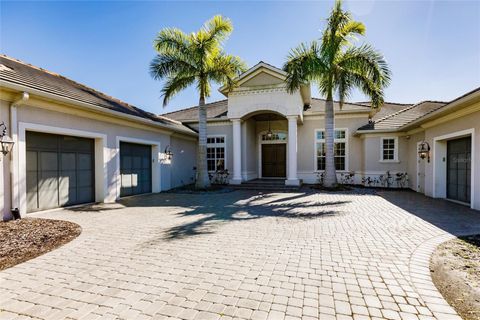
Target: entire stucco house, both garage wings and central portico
pixel 74 145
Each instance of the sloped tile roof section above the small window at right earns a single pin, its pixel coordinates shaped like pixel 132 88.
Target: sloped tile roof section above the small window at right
pixel 403 116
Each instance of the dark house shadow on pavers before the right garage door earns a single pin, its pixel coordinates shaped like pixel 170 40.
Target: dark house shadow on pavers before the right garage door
pixel 451 217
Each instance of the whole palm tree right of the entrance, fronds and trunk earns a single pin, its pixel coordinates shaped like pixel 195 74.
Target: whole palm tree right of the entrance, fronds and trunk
pixel 337 66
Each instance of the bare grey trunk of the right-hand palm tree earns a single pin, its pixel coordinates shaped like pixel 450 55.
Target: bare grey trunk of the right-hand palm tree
pixel 330 179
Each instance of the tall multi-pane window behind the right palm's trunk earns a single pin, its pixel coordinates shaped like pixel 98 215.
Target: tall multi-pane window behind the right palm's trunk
pixel 339 149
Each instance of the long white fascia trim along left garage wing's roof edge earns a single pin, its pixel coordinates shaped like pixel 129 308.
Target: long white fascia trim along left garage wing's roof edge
pixel 94 107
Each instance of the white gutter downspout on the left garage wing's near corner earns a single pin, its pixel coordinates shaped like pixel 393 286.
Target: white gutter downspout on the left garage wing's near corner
pixel 14 157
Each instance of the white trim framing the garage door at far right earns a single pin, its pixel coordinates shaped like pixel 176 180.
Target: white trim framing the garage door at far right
pixel 440 164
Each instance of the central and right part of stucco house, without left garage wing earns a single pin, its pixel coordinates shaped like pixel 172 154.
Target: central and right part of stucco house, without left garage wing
pixel 262 131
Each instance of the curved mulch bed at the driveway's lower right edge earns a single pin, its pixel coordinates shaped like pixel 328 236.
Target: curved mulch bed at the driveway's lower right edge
pixel 455 270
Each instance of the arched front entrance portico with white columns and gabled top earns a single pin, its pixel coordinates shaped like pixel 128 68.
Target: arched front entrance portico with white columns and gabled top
pixel 261 100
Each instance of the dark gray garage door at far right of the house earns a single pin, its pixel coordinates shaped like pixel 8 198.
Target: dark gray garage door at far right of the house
pixel 459 169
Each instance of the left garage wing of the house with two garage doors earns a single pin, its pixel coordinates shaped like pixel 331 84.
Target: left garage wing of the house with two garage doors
pixel 76 145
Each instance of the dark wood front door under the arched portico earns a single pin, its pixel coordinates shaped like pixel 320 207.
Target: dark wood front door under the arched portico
pixel 274 160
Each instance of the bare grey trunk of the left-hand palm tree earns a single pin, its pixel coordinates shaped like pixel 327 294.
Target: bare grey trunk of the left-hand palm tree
pixel 203 181
